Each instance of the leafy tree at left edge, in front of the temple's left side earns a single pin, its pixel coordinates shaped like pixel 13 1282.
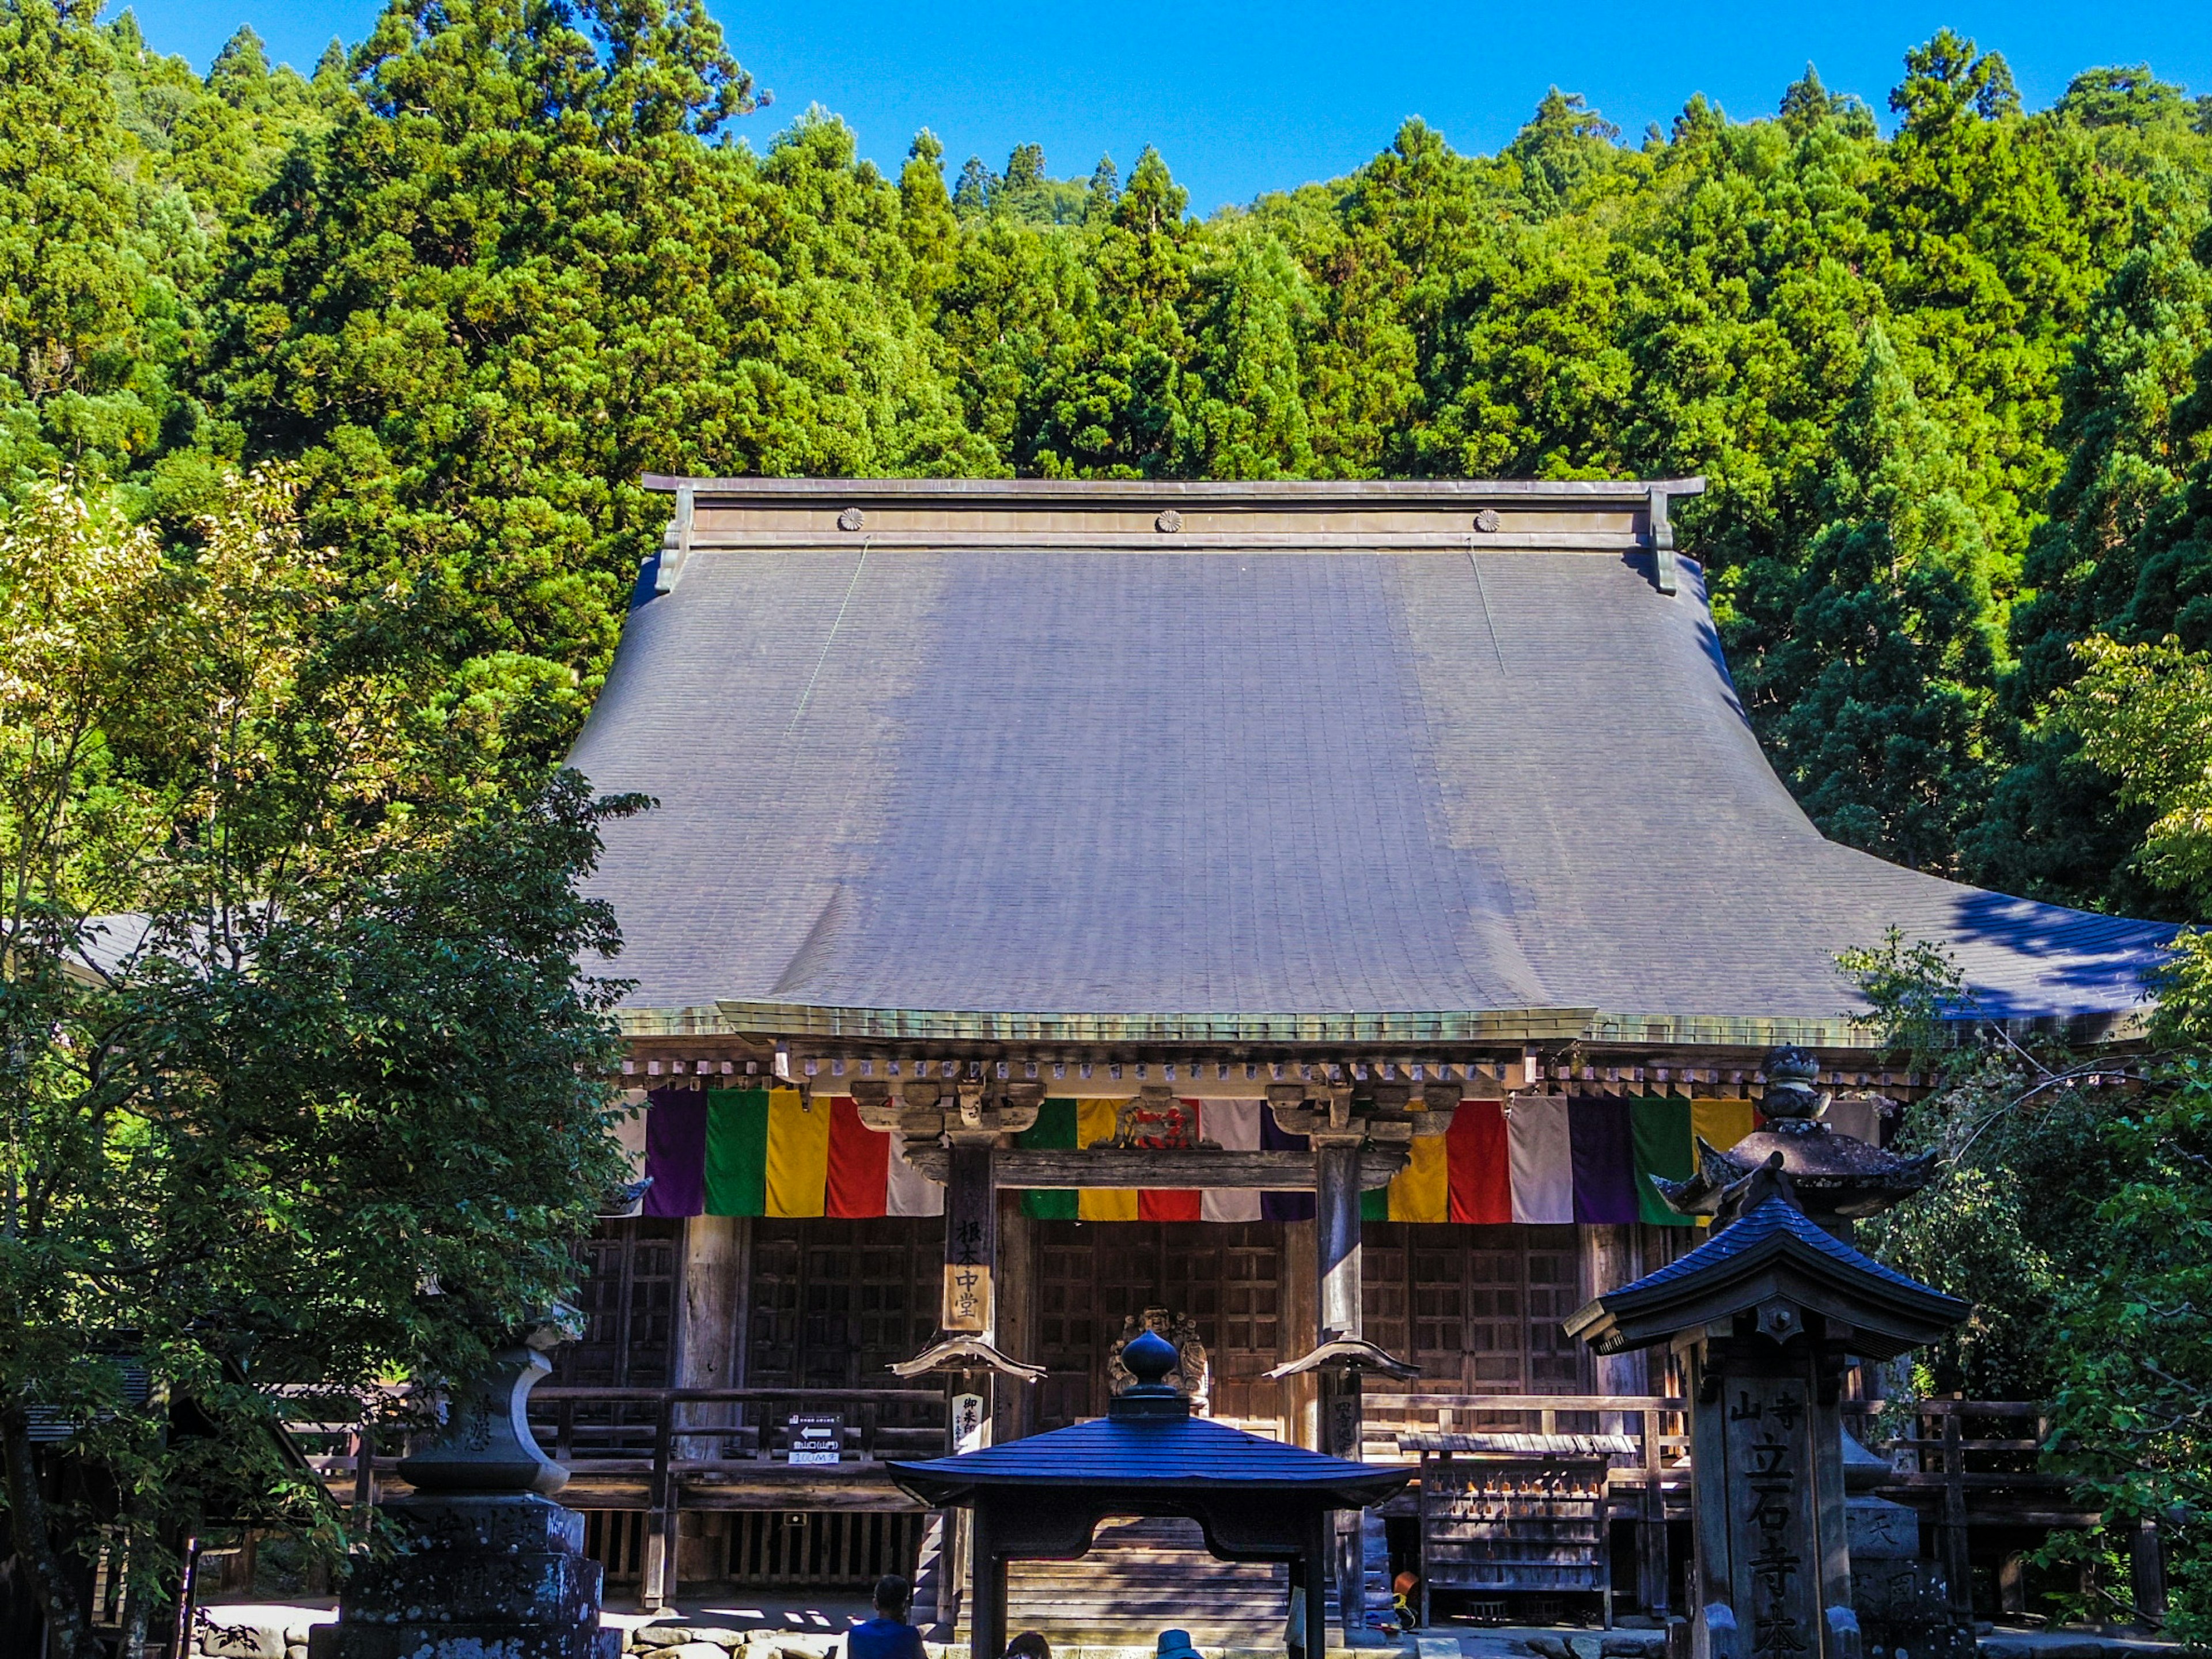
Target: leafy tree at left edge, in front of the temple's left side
pixel 293 1016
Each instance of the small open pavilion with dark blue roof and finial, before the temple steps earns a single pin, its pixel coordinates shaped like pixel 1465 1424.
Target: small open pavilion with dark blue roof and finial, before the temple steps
pixel 1043 1499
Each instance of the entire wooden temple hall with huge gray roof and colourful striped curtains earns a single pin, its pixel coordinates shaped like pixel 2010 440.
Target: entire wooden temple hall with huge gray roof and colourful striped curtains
pixel 1295 919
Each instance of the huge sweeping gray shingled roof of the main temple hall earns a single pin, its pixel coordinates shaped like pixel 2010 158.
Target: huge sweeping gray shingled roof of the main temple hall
pixel 915 778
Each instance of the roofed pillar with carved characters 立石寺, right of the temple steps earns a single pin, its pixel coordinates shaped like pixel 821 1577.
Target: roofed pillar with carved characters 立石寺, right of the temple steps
pixel 1766 1317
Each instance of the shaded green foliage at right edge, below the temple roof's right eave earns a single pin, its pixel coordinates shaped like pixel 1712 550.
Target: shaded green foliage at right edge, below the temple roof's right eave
pixel 2074 1209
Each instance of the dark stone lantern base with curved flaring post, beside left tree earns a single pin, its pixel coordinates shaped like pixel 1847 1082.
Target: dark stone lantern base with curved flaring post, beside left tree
pixel 490 1565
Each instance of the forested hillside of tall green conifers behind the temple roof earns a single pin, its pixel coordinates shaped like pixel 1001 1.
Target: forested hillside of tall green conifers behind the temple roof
pixel 481 271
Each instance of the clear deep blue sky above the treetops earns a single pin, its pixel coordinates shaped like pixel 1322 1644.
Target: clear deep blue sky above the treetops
pixel 1249 98
